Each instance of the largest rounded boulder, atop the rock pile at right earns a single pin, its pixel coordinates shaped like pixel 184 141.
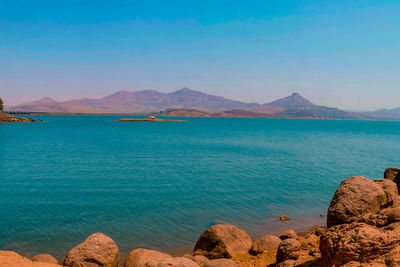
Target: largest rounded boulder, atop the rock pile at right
pixel 355 197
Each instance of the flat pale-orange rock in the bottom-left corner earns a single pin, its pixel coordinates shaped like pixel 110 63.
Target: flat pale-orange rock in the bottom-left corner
pixel 13 259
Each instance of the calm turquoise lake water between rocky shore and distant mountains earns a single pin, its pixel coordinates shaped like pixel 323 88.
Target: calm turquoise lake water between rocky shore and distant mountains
pixel 160 185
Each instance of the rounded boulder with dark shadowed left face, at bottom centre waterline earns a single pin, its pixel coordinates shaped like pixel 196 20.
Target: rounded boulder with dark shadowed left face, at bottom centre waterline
pixel 223 241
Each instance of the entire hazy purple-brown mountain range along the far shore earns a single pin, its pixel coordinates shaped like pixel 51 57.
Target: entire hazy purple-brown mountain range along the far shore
pixel 185 101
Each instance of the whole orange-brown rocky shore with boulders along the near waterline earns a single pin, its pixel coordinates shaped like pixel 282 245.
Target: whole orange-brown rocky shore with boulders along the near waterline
pixel 363 229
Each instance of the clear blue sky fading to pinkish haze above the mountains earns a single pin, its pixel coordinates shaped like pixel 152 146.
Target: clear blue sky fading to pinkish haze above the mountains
pixel 343 54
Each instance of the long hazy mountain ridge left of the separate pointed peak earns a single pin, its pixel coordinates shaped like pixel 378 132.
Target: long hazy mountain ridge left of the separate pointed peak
pixel 136 102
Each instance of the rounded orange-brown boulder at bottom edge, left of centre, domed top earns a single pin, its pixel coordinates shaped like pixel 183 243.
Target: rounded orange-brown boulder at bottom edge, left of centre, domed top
pixel 97 250
